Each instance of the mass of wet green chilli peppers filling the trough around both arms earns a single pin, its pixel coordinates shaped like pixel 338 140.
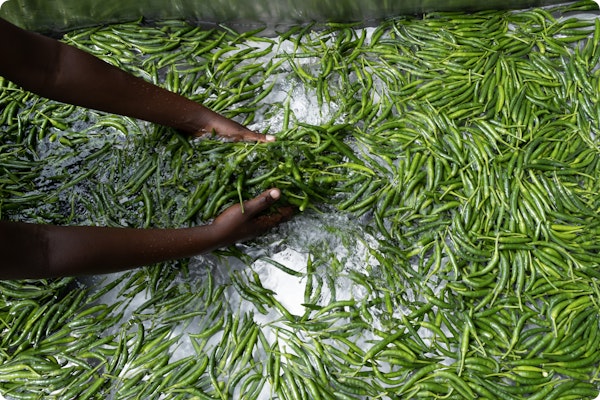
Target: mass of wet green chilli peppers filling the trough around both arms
pixel 456 154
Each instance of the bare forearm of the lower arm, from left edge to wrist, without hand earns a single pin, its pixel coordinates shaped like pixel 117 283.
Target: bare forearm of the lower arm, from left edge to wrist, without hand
pixel 42 251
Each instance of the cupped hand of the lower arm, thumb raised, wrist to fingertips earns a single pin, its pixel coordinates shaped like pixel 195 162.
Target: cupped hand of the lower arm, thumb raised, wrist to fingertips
pixel 239 223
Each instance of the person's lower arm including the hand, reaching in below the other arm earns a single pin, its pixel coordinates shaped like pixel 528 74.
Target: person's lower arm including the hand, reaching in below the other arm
pixel 47 251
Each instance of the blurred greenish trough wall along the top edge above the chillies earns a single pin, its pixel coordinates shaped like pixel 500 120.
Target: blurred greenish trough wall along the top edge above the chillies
pixel 62 15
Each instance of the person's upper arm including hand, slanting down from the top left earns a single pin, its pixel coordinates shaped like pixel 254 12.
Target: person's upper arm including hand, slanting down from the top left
pixel 64 73
